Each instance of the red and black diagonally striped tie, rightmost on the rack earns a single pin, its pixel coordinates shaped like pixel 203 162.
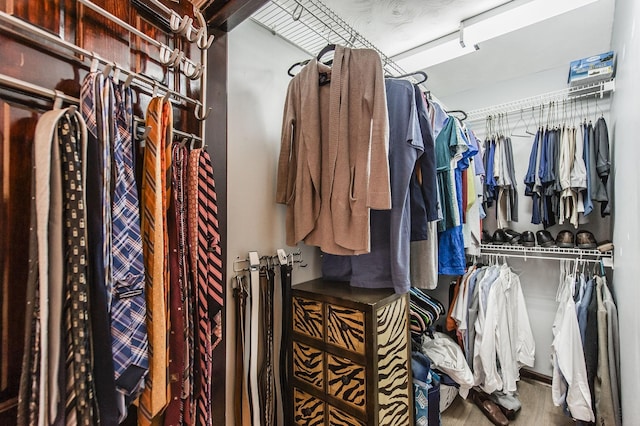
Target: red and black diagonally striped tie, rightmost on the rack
pixel 209 291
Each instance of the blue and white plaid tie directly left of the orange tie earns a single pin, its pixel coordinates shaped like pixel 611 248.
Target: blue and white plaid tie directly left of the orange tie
pixel 128 306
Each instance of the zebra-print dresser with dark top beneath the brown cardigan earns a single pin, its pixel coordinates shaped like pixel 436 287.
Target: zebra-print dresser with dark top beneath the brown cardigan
pixel 351 356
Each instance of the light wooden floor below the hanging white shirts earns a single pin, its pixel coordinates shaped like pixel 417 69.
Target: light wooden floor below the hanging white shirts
pixel 537 409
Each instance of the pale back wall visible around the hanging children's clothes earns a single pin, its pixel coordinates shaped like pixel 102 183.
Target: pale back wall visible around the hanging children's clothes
pixel 539 278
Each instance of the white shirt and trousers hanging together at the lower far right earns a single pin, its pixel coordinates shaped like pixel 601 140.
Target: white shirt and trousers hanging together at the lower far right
pixel 585 349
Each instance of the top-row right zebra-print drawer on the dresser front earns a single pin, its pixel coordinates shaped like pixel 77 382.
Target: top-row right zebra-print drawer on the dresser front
pixel 345 328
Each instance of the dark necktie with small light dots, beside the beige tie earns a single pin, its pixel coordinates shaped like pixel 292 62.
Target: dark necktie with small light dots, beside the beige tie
pixel 80 405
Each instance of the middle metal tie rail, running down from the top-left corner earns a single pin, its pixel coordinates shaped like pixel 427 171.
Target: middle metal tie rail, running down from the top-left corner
pixel 41 34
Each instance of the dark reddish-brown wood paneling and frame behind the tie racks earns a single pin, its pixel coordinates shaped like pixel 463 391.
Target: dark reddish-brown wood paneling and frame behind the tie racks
pixel 54 67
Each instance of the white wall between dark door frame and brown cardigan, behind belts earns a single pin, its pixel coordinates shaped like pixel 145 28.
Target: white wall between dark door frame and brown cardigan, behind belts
pixel 257 85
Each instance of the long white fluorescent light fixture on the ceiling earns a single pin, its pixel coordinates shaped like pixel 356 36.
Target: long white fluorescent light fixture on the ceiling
pixel 495 22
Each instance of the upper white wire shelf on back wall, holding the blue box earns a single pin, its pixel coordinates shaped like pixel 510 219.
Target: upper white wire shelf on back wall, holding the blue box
pixel 594 90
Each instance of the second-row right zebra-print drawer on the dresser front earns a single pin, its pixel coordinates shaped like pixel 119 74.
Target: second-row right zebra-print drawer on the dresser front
pixel 346 381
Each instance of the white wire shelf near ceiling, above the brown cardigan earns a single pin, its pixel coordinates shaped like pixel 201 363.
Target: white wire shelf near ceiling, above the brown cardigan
pixel 310 25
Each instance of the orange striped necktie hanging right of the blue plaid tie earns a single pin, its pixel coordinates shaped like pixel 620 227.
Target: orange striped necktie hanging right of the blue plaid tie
pixel 155 194
